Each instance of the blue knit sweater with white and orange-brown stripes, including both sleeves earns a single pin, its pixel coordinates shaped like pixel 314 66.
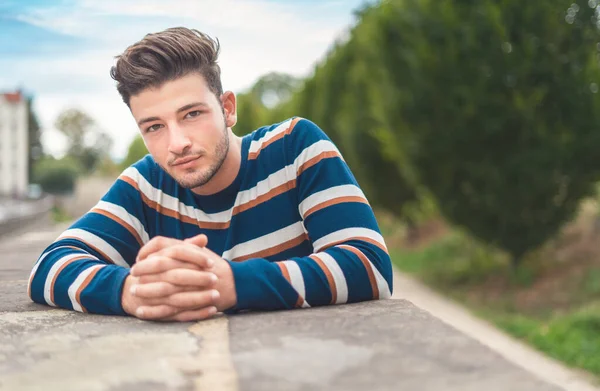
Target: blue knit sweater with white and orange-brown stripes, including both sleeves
pixel 294 225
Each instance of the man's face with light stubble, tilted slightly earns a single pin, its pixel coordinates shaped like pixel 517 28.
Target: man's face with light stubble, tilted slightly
pixel 184 128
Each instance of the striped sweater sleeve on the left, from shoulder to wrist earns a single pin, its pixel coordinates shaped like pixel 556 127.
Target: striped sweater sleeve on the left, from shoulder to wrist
pixel 85 268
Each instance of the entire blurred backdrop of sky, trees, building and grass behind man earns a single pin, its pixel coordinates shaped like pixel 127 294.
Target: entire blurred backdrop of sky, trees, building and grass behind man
pixel 472 127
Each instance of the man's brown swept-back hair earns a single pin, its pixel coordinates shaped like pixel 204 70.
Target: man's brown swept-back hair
pixel 166 56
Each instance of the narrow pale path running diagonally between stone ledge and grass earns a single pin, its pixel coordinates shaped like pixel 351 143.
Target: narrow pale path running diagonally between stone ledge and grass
pixel 518 353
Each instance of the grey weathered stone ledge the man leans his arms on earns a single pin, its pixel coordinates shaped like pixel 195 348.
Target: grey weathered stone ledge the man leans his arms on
pixel 384 345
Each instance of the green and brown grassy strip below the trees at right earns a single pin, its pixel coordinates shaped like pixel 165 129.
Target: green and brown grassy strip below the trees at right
pixel 555 307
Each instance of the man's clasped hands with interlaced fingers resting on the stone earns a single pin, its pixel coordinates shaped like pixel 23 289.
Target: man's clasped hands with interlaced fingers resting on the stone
pixel 178 280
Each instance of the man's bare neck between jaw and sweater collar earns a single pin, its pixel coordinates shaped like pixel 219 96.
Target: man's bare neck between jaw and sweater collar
pixel 228 171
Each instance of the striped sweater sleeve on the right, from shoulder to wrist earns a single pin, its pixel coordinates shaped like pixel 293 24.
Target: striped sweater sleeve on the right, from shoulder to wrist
pixel 350 261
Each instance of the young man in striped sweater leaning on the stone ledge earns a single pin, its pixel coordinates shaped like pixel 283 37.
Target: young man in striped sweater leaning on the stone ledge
pixel 209 221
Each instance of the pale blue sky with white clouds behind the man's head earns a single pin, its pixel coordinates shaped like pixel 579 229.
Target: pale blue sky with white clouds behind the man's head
pixel 60 51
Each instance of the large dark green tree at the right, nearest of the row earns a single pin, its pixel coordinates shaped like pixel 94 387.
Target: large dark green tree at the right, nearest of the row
pixel 502 106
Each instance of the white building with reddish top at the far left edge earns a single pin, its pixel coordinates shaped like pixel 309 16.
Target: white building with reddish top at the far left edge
pixel 14 144
